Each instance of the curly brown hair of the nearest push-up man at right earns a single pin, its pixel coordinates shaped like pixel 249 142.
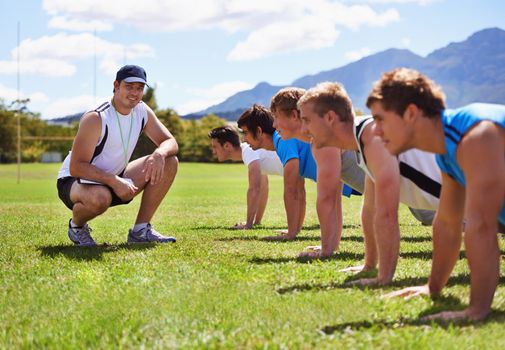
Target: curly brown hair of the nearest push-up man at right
pixel 402 86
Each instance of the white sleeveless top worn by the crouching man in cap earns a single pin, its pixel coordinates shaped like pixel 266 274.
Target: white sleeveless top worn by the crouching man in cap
pixel 109 154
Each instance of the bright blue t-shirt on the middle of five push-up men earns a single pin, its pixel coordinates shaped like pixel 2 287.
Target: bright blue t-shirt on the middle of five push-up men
pixel 296 149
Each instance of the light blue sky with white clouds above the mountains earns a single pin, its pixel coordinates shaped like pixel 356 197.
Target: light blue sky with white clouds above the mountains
pixel 199 52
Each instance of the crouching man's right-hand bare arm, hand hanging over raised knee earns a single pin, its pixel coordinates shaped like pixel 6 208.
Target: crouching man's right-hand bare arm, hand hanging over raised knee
pixel 167 146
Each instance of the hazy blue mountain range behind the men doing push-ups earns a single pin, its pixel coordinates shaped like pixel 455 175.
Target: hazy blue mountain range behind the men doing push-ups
pixel 468 71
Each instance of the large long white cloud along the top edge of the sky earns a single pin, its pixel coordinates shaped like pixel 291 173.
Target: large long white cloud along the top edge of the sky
pixel 289 25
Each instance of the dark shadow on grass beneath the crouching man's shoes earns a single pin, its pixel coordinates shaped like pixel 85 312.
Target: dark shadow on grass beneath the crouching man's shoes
pixel 90 253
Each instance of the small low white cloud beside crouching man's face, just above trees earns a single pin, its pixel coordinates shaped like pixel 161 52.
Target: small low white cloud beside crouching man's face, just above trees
pixel 76 104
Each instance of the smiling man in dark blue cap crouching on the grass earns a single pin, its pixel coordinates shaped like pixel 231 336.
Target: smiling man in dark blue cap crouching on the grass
pixel 97 174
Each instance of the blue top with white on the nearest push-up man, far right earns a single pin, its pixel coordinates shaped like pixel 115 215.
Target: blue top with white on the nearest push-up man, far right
pixel 456 124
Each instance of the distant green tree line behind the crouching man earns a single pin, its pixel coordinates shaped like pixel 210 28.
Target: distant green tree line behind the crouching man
pixel 39 136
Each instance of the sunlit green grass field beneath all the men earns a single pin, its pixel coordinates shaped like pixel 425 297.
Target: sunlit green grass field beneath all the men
pixel 214 288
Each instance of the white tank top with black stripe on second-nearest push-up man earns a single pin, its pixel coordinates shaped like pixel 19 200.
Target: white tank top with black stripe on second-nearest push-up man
pixel 420 177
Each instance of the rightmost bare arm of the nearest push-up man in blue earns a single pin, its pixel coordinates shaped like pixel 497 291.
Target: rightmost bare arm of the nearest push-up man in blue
pixel 481 155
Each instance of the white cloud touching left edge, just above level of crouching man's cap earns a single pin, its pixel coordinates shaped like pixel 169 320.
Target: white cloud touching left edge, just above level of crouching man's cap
pixel 53 55
